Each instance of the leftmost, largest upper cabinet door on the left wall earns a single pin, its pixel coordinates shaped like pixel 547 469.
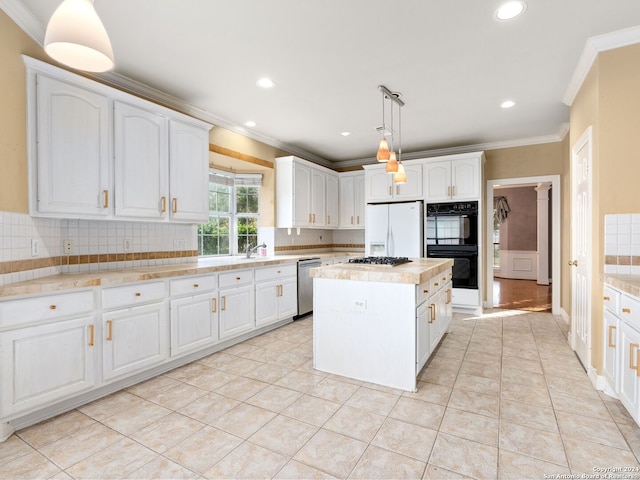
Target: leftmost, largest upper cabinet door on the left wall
pixel 73 160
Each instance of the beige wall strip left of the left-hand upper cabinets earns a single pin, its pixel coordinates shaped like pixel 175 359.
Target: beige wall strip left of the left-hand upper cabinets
pixel 13 114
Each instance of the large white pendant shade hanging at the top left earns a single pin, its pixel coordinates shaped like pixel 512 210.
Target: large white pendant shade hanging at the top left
pixel 77 38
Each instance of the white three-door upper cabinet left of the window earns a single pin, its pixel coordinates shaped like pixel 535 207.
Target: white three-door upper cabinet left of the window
pixel 96 152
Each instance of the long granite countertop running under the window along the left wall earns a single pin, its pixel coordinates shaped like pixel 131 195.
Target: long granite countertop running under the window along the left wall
pixel 68 281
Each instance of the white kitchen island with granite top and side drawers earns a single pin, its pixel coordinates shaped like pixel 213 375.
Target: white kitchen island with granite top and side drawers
pixel 378 323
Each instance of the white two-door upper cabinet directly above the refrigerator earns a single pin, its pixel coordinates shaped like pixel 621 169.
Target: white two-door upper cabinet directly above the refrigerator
pixel 380 186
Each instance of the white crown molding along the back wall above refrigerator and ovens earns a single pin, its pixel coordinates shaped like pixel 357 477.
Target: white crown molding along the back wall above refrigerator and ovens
pixel 522 142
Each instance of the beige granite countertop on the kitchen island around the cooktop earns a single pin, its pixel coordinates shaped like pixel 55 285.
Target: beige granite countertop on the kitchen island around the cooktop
pixel 418 271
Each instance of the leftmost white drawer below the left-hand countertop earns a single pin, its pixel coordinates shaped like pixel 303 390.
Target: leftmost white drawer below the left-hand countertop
pixel 47 307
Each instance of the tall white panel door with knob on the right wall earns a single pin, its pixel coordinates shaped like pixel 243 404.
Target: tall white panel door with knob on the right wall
pixel 581 249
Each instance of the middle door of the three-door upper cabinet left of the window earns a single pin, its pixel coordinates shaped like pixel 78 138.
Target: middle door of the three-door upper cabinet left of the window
pixel 141 162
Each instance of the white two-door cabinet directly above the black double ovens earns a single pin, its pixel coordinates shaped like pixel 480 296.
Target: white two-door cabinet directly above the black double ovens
pixel 457 177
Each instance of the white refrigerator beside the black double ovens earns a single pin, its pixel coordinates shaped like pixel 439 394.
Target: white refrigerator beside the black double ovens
pixel 394 230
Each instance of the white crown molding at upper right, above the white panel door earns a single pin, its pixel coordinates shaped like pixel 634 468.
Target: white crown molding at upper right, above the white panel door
pixel 594 46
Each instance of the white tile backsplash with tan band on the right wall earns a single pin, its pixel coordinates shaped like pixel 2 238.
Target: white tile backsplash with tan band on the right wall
pixel 622 244
